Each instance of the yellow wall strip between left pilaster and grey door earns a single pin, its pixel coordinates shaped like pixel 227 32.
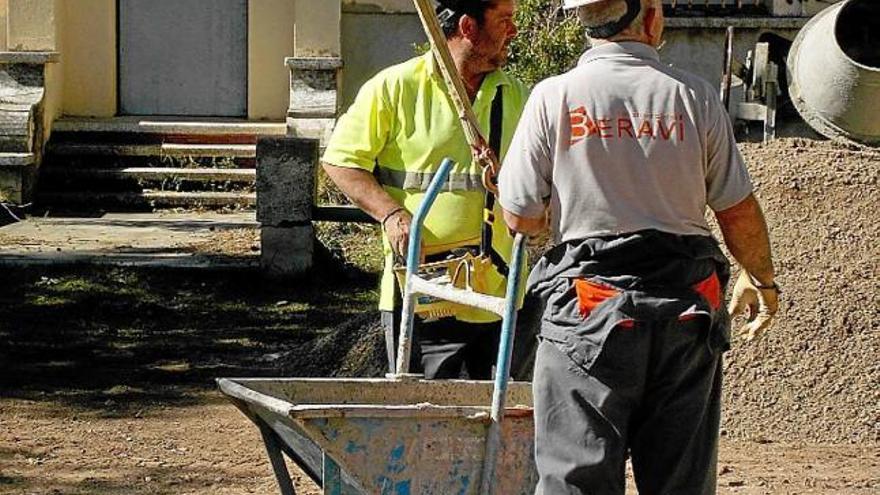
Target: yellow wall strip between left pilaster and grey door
pixel 89 58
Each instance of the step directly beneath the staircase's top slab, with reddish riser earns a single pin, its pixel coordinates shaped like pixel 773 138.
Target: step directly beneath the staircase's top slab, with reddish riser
pixel 174 150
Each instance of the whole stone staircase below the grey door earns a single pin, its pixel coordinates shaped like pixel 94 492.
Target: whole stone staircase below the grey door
pixel 139 164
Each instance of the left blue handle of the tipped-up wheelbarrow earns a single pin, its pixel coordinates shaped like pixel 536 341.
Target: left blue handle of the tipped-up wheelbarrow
pixel 413 256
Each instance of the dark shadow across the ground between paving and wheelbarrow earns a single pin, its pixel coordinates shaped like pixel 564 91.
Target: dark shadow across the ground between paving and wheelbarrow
pixel 115 341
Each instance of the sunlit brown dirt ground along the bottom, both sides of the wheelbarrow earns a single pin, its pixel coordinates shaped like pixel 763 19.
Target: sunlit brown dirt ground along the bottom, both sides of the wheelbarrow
pixel 210 448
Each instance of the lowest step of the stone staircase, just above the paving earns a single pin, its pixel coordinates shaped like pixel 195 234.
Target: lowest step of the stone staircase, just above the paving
pixel 148 199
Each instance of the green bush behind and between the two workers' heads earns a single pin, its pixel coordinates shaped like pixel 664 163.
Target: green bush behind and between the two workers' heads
pixel 550 41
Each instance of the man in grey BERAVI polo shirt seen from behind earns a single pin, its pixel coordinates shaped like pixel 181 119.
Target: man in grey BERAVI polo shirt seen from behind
pixel 626 154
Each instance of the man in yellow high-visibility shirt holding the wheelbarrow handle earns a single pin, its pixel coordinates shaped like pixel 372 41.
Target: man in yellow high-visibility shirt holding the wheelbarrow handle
pixel 386 148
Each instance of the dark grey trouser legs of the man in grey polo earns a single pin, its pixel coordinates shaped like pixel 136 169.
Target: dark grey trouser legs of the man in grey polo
pixel 652 393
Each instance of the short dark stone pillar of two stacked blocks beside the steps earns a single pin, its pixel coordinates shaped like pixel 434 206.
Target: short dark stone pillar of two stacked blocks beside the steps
pixel 285 196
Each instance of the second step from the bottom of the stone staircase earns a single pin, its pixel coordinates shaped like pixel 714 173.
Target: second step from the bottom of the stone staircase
pixel 237 175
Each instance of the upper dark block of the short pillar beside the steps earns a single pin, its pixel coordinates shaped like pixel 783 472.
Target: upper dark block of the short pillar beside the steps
pixel 286 184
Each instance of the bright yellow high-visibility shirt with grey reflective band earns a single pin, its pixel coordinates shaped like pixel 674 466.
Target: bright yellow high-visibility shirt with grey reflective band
pixel 401 125
